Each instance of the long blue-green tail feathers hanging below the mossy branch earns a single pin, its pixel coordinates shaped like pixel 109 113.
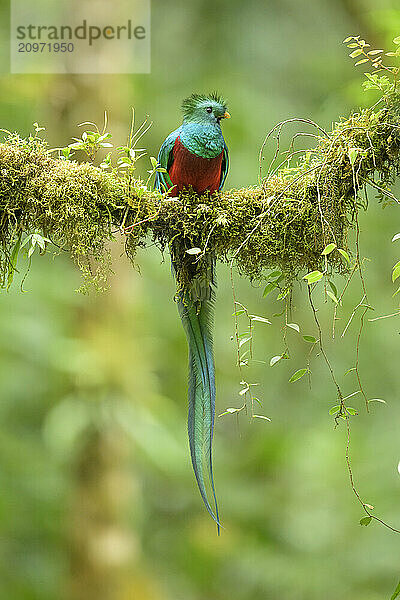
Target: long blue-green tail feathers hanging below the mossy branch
pixel 197 319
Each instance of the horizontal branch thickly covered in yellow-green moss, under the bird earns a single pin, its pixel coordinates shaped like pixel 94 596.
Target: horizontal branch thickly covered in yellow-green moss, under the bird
pixel 286 221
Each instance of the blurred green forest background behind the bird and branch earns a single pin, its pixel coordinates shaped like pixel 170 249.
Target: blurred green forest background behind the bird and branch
pixel 98 499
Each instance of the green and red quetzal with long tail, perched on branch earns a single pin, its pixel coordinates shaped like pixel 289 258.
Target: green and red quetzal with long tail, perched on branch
pixel 195 155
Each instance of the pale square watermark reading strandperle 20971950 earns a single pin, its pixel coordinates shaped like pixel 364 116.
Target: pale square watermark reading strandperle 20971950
pixel 71 36
